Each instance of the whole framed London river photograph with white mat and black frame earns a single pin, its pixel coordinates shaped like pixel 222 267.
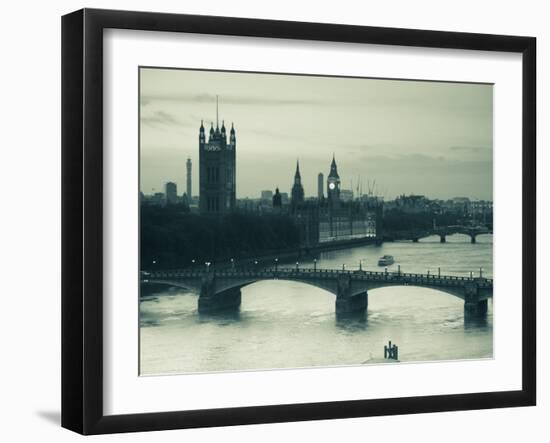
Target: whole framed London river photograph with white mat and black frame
pixel 269 221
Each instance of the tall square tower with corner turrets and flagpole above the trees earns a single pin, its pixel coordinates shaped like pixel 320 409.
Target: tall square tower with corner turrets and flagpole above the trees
pixel 217 169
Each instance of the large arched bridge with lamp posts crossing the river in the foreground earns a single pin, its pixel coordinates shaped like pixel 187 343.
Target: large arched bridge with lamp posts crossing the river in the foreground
pixel 221 289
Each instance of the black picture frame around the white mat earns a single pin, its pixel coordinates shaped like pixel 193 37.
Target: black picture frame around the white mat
pixel 82 218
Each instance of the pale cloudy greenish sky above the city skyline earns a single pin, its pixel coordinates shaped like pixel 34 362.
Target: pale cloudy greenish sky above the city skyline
pixel 407 137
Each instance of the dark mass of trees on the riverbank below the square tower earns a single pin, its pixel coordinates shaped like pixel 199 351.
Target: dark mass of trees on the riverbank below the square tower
pixel 172 237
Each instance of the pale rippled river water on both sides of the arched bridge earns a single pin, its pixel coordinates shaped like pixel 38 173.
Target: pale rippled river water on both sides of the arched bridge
pixel 284 324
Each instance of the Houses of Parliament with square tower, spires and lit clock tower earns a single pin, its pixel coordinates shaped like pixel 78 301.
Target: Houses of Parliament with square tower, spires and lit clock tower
pixel 319 219
